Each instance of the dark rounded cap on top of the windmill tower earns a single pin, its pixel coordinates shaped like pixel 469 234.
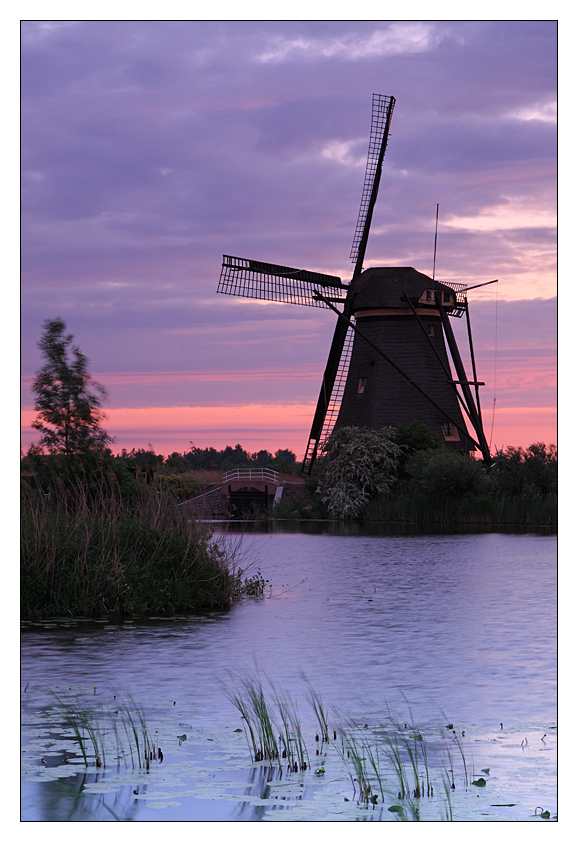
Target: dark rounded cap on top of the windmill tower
pixel 386 286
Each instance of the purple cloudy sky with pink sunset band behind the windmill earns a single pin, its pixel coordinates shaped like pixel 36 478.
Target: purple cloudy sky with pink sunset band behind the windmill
pixel 152 148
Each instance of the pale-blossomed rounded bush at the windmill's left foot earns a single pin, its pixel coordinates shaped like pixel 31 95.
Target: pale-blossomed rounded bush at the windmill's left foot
pixel 360 464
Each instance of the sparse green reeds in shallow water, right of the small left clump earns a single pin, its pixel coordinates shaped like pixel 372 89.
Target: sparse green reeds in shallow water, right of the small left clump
pixel 394 762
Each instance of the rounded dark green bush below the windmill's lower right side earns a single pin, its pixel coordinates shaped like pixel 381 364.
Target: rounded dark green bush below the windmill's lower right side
pixel 445 473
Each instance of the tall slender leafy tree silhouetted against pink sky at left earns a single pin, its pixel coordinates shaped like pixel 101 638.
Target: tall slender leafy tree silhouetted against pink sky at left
pixel 67 398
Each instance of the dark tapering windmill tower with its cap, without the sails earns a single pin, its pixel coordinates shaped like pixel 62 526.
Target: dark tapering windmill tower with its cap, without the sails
pixel 376 395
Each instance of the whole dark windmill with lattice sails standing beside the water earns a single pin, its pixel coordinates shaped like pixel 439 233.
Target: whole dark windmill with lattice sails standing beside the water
pixel 388 363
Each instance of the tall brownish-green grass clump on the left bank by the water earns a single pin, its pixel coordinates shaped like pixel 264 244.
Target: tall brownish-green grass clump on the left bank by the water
pixel 86 551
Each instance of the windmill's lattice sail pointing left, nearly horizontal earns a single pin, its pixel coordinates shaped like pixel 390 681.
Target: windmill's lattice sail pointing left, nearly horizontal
pixel 270 282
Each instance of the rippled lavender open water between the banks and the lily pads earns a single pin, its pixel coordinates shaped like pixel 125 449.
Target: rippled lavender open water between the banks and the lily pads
pixel 459 624
